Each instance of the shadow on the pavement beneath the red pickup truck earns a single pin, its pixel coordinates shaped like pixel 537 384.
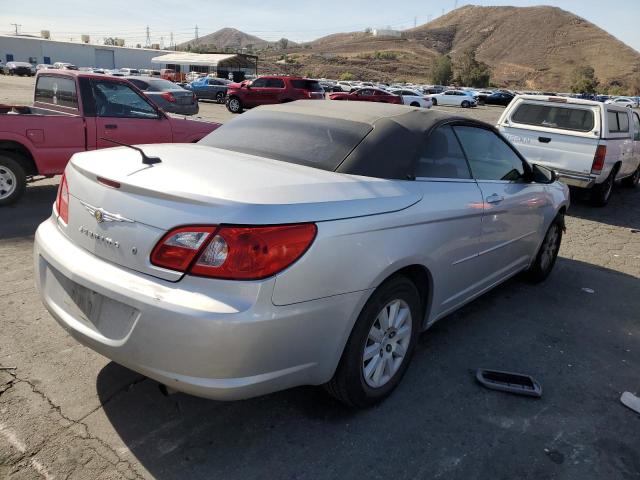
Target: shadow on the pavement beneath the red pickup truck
pixel 22 218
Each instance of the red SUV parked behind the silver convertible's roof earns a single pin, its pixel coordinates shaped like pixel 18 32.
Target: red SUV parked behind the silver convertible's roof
pixel 269 90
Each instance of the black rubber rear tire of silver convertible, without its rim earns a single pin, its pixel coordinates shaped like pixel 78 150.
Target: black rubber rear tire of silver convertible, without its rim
pixel 348 384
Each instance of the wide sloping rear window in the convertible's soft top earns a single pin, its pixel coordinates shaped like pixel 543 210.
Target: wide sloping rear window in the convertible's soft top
pixel 302 139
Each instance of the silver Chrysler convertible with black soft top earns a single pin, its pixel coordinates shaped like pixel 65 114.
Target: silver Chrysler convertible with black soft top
pixel 300 244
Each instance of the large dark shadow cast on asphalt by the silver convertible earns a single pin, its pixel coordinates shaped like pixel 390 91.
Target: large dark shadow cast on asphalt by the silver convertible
pixel 583 346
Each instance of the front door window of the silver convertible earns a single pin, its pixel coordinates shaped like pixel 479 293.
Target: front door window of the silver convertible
pixel 489 156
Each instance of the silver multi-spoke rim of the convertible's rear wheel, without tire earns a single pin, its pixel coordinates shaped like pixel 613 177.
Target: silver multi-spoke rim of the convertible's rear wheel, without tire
pixel 387 343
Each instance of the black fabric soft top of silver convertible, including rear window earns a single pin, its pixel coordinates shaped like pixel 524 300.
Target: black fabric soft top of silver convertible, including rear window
pixel 360 138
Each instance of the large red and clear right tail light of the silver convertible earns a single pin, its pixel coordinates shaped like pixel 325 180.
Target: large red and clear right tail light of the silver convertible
pixel 235 253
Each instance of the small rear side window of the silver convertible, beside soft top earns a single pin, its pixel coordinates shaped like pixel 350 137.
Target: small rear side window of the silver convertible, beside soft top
pixel 441 156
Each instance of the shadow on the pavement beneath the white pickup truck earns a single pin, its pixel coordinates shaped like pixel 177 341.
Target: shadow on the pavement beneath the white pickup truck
pixel 623 209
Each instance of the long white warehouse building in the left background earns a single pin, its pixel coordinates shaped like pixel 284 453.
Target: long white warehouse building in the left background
pixel 39 50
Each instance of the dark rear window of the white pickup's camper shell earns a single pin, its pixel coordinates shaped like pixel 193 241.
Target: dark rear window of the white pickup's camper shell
pixel 553 116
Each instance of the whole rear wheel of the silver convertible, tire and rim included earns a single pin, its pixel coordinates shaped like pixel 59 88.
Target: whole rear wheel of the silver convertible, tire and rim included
pixel 379 349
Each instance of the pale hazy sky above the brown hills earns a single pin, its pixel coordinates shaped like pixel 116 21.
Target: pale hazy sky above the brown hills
pixel 271 20
